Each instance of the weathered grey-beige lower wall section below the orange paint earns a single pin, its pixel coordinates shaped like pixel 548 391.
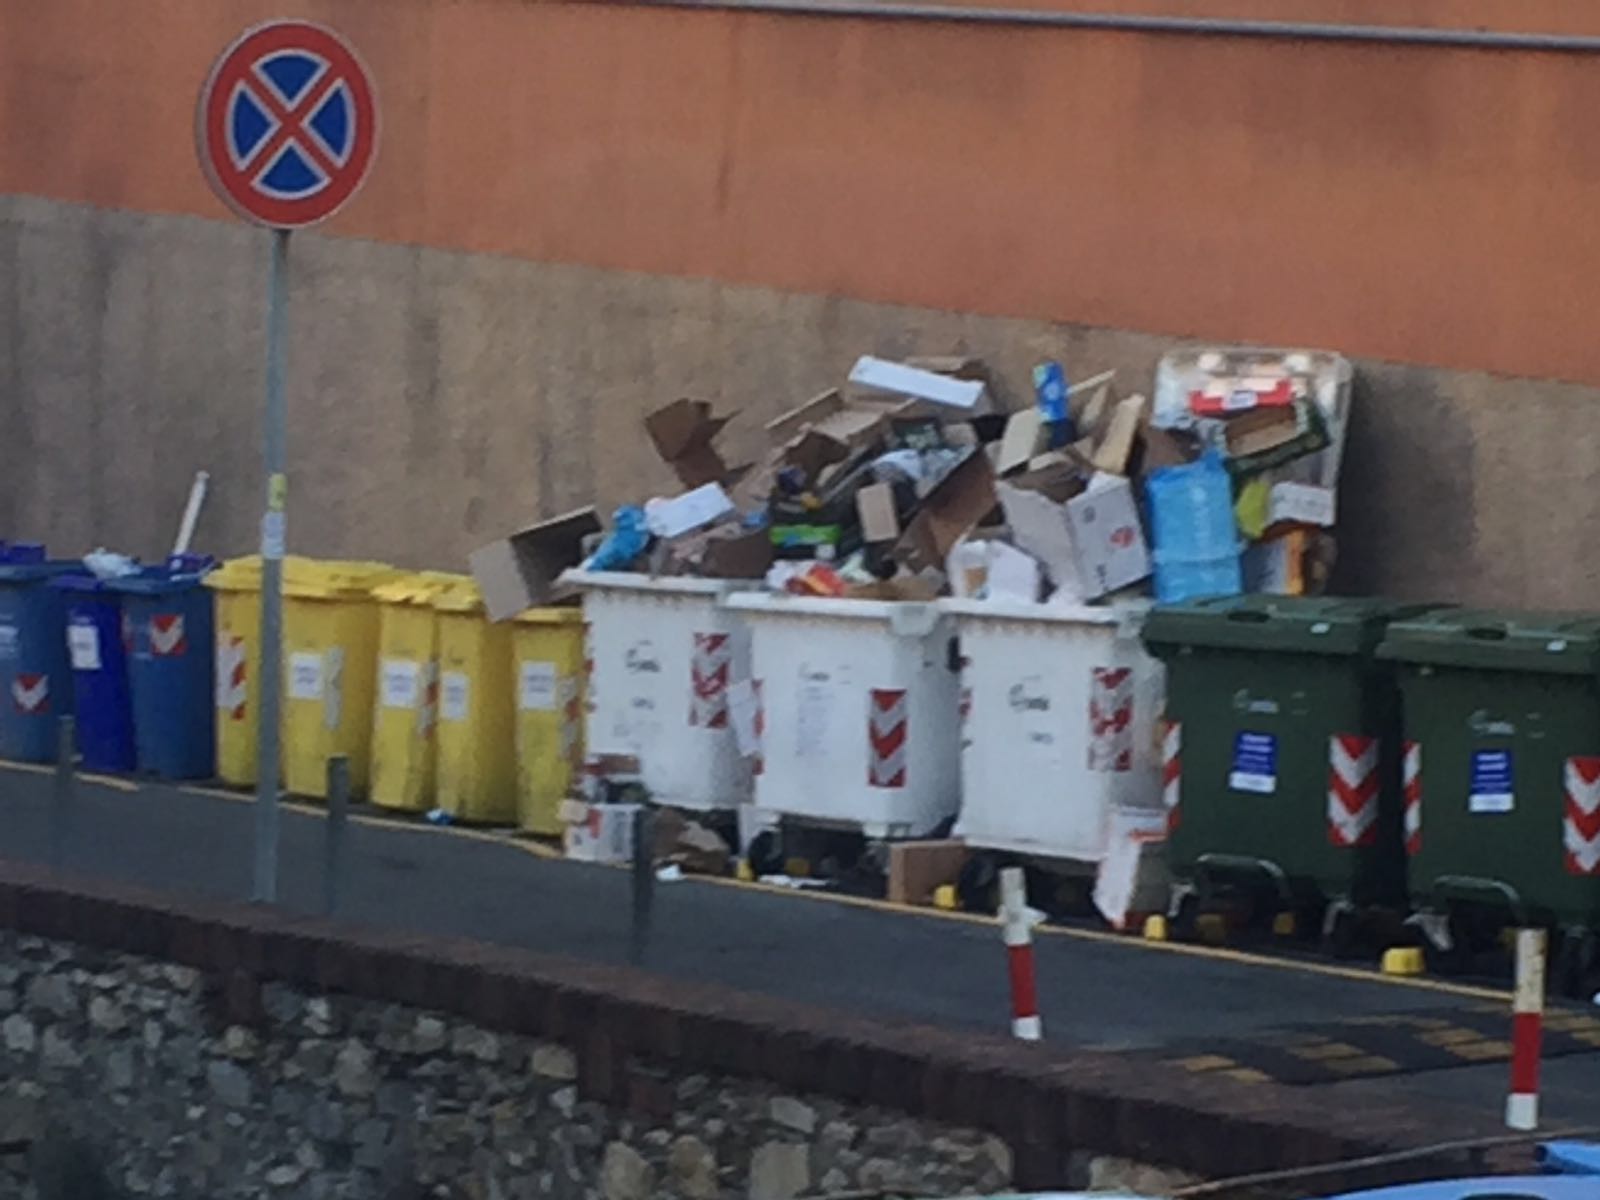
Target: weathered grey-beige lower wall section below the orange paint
pixel 441 399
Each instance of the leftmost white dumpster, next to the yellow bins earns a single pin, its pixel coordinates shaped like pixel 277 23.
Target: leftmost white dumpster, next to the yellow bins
pixel 662 655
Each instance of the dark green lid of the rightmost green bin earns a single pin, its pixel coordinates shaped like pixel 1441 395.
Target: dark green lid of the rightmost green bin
pixel 1550 644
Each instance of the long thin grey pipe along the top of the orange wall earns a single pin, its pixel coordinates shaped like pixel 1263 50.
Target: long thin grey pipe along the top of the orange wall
pixel 1121 23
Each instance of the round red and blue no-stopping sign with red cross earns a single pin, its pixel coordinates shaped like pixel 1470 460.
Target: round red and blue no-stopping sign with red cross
pixel 287 126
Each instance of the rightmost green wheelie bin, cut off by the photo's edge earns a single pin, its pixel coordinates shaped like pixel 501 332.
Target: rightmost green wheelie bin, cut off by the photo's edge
pixel 1503 782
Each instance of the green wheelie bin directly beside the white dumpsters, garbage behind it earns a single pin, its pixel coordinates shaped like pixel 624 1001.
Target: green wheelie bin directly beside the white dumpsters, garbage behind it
pixel 1282 761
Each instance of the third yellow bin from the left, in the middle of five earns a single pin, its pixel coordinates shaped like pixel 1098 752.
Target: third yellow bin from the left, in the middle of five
pixel 406 716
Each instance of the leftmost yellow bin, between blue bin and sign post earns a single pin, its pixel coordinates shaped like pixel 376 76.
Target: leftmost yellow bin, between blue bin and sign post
pixel 238 588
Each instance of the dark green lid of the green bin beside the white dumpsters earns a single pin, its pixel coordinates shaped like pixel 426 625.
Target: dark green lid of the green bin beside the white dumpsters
pixel 1276 623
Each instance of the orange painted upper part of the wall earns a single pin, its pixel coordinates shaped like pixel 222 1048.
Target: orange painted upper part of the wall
pixel 1425 206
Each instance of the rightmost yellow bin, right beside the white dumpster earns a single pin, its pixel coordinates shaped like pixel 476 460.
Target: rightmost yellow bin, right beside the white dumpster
pixel 550 694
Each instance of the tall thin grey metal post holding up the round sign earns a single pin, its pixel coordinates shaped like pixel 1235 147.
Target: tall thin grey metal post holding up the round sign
pixel 273 540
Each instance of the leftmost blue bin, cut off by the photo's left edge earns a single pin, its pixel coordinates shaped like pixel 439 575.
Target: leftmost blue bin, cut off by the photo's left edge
pixel 36 682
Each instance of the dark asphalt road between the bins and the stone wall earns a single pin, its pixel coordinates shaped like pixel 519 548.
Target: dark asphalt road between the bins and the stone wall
pixel 890 964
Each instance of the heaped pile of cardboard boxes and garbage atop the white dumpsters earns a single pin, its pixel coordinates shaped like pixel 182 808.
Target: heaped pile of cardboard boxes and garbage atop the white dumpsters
pixel 916 481
